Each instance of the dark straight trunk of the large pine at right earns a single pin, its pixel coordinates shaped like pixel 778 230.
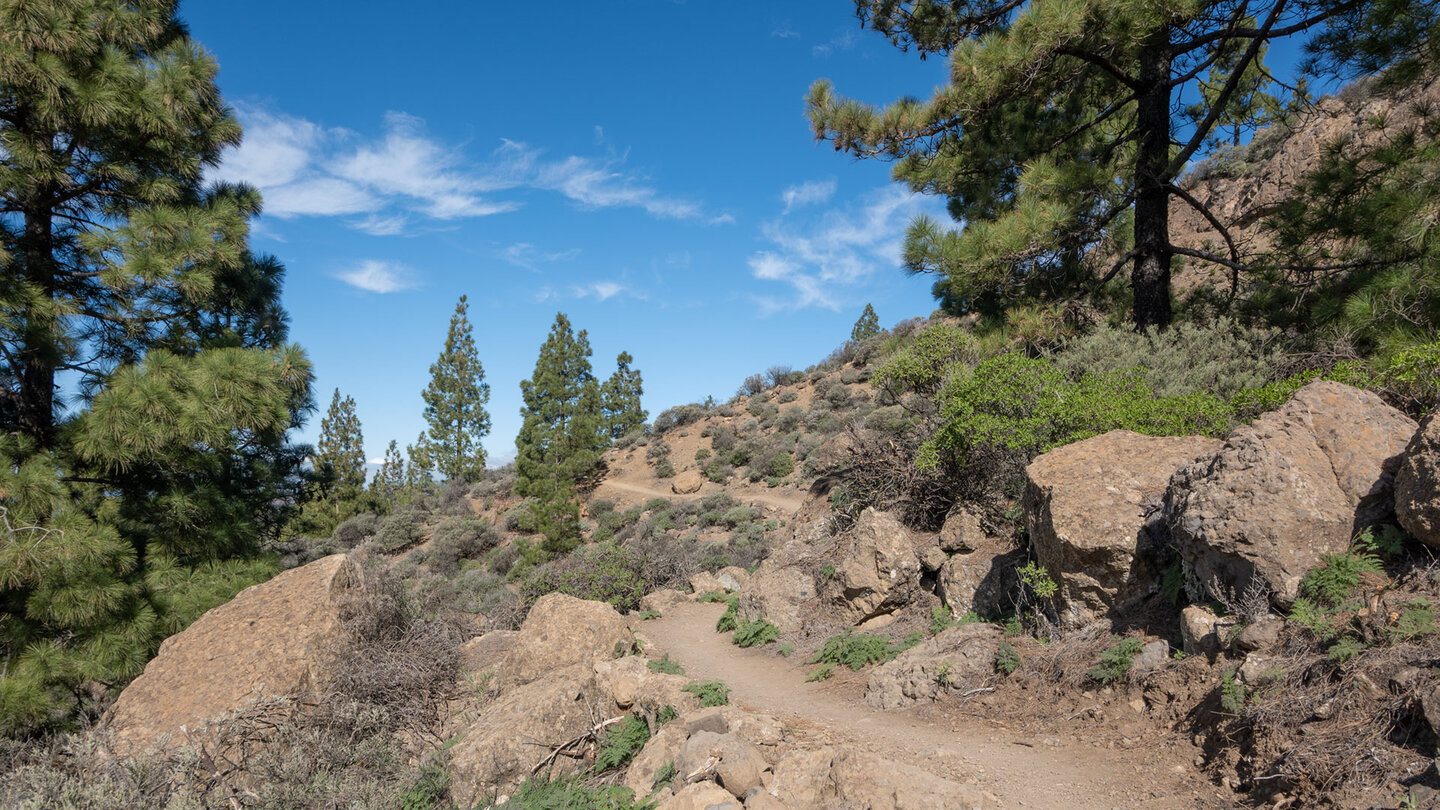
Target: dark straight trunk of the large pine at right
pixel 1150 280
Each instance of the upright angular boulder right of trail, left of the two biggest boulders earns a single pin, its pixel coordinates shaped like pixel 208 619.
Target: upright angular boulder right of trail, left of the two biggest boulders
pixel 879 570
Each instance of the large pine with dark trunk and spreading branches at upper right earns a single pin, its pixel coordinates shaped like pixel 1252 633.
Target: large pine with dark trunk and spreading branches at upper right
pixel 1058 135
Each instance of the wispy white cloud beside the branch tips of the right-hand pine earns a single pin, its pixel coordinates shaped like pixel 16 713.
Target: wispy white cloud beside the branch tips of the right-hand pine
pixel 822 260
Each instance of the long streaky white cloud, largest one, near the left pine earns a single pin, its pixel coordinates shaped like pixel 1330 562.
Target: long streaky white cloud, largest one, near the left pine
pixel 408 177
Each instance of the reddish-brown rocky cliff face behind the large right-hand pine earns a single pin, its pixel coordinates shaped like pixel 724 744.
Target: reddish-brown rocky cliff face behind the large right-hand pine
pixel 1242 187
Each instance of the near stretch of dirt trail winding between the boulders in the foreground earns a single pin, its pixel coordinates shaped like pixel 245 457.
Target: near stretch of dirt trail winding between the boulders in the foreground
pixel 1019 769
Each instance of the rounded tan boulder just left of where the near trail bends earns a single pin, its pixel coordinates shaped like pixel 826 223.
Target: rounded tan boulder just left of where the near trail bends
pixel 561 632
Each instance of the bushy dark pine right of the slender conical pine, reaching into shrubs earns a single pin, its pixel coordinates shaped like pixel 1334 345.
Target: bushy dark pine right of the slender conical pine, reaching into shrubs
pixel 562 436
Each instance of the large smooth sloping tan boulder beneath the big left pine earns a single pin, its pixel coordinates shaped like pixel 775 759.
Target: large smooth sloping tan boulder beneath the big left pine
pixel 271 641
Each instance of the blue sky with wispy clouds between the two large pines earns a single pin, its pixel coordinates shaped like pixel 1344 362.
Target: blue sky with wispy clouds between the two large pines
pixel 644 166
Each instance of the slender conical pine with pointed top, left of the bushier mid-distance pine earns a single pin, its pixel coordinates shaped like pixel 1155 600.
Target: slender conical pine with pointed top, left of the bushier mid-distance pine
pixel 456 404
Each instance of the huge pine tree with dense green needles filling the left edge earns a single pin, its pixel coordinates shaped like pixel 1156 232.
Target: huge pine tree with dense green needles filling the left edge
pixel 126 279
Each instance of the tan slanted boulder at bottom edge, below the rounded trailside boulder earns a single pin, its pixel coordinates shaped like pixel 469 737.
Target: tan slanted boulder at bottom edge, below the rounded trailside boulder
pixel 519 730
